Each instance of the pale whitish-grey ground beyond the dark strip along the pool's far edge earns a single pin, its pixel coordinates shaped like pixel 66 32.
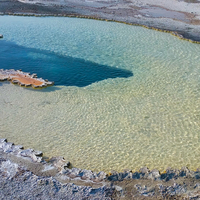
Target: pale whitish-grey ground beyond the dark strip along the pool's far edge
pixel 174 15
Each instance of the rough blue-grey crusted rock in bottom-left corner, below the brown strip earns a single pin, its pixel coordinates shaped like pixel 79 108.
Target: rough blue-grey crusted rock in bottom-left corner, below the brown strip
pixel 26 185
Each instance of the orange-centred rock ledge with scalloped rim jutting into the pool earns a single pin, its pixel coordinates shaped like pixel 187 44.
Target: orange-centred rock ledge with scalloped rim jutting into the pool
pixel 23 79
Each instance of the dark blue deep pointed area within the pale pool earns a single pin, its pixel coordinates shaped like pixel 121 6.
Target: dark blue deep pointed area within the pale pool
pixel 63 70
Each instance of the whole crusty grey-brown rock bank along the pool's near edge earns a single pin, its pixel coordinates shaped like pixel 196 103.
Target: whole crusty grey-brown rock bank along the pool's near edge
pixel 27 171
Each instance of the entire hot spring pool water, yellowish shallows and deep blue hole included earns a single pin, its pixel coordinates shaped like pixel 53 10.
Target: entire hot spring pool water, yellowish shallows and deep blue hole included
pixel 124 96
